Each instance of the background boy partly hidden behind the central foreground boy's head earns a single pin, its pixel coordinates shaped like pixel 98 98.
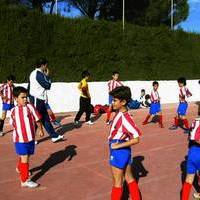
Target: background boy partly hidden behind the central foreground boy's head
pixel 112 84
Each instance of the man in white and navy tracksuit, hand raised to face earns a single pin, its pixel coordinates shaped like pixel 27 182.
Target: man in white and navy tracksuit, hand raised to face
pixel 39 82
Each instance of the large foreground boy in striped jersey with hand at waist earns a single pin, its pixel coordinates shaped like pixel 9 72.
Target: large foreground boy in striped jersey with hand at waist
pixel 123 134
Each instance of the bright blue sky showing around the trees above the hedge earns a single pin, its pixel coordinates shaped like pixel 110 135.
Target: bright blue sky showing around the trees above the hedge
pixel 192 23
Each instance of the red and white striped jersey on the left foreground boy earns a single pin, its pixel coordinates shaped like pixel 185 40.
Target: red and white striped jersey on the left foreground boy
pixel 23 120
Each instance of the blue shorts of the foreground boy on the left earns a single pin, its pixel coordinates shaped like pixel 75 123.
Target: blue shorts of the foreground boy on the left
pixel 25 148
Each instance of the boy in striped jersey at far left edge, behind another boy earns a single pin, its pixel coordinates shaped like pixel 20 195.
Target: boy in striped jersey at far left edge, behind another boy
pixel 6 93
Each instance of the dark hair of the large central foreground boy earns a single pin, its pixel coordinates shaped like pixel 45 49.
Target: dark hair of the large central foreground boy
pixel 122 93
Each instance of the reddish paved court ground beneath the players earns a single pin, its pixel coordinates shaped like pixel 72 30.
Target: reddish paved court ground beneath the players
pixel 77 168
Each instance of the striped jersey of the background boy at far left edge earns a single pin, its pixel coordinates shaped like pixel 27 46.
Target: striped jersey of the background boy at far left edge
pixel 7 91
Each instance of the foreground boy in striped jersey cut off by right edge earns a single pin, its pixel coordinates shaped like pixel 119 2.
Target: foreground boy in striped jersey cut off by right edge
pixel 193 162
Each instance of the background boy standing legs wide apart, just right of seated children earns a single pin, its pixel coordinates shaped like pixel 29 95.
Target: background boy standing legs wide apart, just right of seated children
pixel 155 108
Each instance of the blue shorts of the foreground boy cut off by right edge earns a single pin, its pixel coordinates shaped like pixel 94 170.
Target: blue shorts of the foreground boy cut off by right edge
pixel 193 162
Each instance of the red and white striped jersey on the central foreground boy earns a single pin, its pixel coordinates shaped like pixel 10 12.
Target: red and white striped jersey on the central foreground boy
pixel 123 127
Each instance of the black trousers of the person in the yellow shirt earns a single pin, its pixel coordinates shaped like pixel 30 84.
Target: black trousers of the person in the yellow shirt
pixel 85 106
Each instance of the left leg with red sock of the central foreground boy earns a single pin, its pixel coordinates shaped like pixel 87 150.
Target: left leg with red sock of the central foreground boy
pixel 117 175
